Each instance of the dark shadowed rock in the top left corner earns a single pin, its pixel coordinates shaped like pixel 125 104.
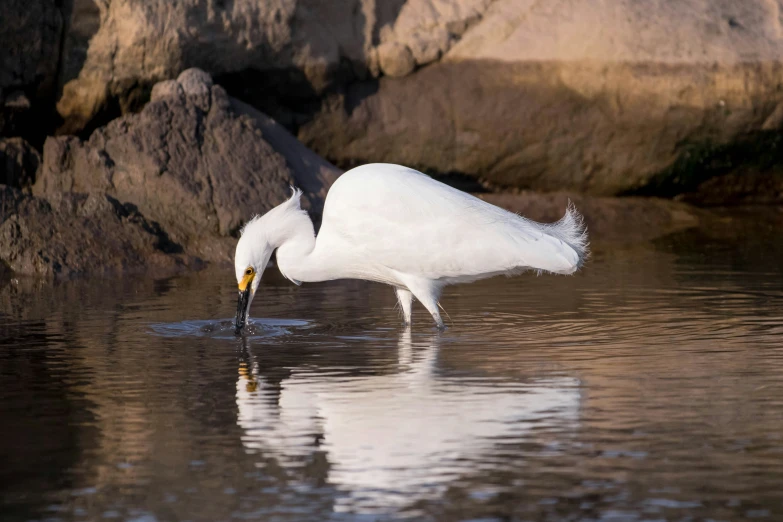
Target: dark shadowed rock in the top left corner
pixel 30 34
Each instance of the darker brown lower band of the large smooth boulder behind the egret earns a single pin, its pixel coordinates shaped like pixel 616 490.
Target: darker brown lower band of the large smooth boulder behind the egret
pixel 521 125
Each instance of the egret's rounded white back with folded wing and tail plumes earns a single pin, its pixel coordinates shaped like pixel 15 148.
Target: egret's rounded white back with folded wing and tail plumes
pixel 398 219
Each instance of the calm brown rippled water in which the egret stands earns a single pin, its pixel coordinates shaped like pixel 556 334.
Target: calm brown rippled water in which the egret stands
pixel 648 387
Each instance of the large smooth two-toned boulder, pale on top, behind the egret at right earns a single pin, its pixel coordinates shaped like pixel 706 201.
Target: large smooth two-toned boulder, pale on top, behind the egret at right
pixel 568 95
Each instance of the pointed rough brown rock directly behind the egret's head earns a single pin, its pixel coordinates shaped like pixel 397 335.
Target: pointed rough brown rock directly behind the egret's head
pixel 192 162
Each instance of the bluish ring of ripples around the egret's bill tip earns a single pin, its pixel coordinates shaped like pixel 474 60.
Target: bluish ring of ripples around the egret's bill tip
pixel 259 328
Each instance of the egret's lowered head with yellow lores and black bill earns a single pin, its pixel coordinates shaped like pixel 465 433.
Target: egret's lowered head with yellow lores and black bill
pixel 251 257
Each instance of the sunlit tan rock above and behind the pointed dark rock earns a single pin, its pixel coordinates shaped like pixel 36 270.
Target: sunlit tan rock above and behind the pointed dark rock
pixel 141 42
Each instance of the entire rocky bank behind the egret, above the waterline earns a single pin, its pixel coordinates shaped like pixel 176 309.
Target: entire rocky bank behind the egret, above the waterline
pixel 118 150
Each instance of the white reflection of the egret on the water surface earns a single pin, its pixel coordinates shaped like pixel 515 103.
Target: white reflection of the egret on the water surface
pixel 392 439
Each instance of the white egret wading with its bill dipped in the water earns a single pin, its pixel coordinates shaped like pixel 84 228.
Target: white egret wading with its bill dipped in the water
pixel 394 225
